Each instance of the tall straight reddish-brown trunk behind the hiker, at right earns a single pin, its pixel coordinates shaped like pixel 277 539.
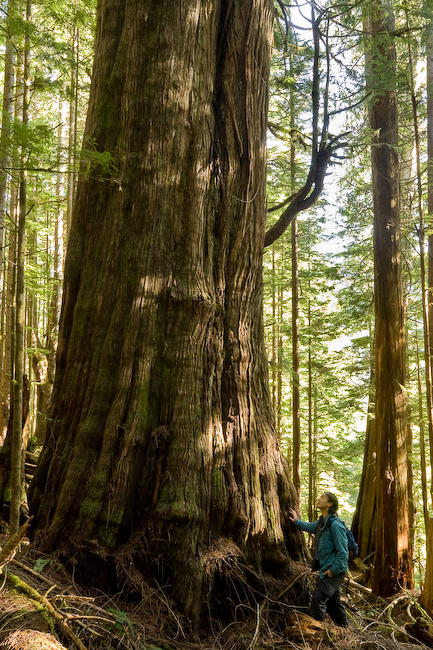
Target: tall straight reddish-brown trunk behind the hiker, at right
pixel 393 562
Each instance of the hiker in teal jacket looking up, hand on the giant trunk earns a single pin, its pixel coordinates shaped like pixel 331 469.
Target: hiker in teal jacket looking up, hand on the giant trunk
pixel 331 556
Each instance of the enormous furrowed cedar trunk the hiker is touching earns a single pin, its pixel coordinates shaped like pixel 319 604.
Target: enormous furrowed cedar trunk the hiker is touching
pixel 162 425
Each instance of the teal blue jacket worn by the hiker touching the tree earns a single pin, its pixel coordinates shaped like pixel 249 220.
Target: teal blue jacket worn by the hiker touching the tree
pixel 333 549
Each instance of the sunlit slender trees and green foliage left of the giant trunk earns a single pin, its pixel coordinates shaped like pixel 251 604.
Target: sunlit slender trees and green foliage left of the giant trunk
pixel 35 151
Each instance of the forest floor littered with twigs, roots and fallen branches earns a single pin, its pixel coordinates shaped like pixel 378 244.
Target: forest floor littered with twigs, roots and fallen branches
pixel 42 606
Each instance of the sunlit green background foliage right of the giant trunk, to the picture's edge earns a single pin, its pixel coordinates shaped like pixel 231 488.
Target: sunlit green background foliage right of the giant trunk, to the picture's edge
pixel 337 288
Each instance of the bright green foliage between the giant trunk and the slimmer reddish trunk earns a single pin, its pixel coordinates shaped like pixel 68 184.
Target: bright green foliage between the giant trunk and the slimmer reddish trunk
pixel 335 304
